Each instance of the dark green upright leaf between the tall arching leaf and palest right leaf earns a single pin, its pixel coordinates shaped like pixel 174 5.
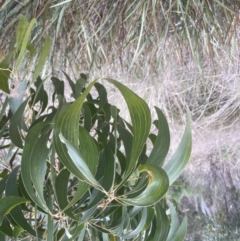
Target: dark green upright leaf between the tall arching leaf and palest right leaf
pixel 162 142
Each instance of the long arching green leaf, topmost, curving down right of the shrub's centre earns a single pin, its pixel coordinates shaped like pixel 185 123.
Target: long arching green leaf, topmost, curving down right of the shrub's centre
pixel 141 122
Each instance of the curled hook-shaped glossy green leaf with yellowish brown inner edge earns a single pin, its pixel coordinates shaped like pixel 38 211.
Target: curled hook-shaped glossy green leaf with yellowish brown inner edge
pixel 158 184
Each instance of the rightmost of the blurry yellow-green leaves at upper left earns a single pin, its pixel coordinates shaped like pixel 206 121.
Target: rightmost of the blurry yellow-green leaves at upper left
pixel 43 57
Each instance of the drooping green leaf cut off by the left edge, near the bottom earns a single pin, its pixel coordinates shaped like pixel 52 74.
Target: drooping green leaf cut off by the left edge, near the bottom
pixel 8 203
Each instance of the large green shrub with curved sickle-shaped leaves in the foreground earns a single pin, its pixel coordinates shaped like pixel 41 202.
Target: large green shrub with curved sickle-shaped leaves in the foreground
pixel 76 170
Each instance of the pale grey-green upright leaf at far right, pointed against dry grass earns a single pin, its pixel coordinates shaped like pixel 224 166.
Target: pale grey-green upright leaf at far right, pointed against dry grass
pixel 181 157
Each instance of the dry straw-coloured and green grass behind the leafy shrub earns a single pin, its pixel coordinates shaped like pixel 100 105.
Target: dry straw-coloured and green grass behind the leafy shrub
pixel 172 53
